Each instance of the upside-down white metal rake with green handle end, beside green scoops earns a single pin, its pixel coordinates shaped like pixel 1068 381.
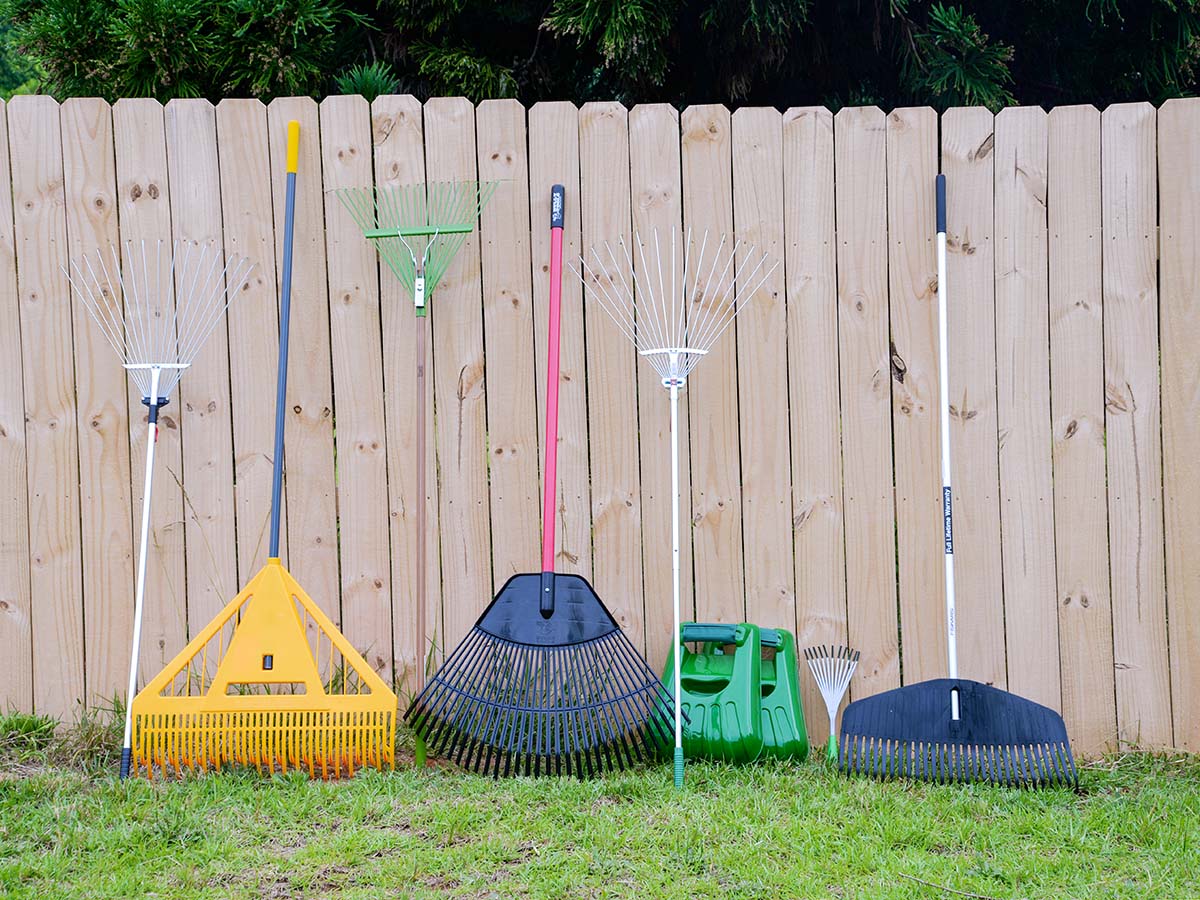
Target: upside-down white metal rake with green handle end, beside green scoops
pixel 674 322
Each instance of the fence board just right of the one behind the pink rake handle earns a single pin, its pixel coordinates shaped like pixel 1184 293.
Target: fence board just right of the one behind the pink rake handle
pixel 613 377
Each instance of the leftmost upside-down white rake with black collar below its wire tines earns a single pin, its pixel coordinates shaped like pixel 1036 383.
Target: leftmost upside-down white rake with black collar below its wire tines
pixel 155 346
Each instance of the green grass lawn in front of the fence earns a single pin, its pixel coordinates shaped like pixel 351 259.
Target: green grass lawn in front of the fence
pixel 69 829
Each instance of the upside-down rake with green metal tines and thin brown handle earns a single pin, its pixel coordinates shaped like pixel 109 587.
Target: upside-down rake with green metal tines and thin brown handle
pixel 418 230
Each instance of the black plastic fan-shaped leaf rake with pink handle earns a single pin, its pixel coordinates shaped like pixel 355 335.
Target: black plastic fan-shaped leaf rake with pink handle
pixel 545 682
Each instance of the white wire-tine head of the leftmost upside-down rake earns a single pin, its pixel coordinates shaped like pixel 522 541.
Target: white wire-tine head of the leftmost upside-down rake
pixel 158 303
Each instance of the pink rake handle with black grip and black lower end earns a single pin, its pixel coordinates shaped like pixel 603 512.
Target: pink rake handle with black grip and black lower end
pixel 557 197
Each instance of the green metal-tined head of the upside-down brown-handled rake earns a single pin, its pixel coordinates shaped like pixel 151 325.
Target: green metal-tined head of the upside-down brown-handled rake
pixel 418 229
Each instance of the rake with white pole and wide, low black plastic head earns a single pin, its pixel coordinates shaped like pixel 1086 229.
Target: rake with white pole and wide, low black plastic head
pixel 952 729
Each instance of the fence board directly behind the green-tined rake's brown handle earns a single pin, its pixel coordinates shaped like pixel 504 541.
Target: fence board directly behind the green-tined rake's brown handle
pixel 400 160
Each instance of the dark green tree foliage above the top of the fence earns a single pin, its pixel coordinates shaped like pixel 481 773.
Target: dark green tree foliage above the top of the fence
pixel 770 52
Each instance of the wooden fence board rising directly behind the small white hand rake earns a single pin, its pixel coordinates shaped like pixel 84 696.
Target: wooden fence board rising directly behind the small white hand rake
pixel 813 391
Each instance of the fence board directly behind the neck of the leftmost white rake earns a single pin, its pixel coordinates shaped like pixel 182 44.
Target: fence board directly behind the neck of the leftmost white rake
pixel 143 201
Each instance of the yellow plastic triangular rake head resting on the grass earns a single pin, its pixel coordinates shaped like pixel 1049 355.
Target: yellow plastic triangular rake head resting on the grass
pixel 269 683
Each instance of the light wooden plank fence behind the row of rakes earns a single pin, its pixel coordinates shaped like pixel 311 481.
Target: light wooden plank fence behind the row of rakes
pixel 811 436
